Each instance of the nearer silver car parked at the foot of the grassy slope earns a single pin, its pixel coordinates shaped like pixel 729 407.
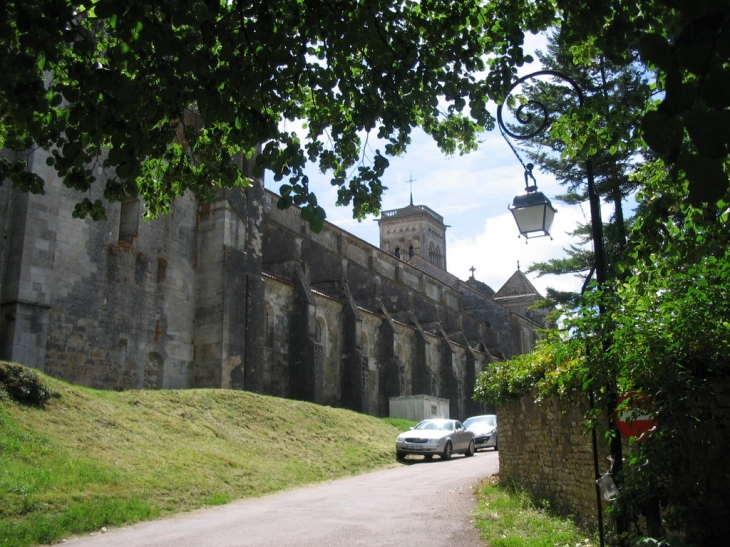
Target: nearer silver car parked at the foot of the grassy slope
pixel 436 437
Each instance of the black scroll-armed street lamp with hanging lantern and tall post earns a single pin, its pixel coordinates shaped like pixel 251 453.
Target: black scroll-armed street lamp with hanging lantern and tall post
pixel 534 127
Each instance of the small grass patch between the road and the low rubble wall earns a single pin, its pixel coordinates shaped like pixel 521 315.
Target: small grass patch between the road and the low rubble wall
pixel 507 517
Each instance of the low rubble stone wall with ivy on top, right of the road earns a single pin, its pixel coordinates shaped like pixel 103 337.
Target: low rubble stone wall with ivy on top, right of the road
pixel 544 449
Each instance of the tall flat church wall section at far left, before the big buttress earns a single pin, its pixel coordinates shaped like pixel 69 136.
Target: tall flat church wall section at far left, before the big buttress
pixel 78 302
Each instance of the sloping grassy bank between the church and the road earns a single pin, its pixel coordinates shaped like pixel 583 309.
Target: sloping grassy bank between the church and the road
pixel 87 459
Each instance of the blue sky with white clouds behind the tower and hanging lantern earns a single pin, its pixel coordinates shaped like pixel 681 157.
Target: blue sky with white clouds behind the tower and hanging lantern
pixel 472 193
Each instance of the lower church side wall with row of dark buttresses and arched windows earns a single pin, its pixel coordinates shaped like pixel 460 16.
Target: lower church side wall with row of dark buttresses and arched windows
pixel 366 357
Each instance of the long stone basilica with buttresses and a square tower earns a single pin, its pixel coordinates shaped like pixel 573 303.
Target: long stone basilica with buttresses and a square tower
pixel 236 294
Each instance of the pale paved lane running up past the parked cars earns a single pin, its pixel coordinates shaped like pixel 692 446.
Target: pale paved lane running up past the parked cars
pixel 424 503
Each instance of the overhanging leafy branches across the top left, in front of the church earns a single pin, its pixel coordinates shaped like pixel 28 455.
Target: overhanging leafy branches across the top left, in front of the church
pixel 155 98
